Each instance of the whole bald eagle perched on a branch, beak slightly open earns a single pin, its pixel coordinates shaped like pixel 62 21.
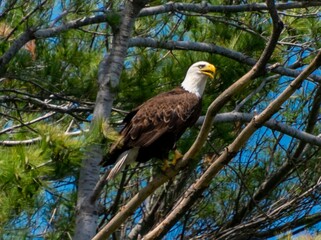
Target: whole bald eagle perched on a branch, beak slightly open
pixel 152 129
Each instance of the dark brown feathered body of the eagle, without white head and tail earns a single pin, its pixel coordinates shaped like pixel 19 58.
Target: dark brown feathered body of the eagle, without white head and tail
pixel 154 127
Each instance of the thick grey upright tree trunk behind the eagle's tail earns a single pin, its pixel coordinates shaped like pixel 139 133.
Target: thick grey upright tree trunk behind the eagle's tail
pixel 108 79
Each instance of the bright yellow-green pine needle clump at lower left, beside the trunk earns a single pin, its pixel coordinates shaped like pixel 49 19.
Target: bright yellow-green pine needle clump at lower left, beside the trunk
pixel 26 172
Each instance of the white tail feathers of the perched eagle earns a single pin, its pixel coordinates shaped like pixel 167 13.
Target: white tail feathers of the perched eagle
pixel 124 159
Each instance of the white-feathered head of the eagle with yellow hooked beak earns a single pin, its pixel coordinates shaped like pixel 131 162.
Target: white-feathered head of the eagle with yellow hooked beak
pixel 196 76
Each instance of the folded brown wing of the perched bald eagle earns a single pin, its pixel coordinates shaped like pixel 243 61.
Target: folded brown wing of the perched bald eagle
pixel 173 112
